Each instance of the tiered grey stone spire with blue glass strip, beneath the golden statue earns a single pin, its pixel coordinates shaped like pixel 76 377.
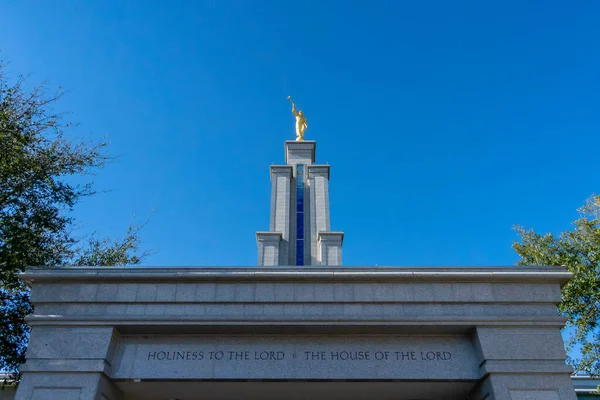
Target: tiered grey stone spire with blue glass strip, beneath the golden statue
pixel 299 232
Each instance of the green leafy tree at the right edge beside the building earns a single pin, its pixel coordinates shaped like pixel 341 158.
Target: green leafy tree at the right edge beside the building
pixel 578 250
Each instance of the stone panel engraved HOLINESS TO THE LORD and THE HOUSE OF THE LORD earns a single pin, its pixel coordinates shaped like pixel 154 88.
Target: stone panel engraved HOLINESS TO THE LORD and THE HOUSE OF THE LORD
pixel 296 357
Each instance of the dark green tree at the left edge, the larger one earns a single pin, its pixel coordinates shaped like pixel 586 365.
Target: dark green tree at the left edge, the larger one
pixel 37 166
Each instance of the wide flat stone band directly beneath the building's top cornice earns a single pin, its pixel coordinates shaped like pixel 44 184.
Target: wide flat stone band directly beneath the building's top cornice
pixel 295 291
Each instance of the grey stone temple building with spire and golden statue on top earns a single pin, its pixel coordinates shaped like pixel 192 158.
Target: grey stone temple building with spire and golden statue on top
pixel 299 325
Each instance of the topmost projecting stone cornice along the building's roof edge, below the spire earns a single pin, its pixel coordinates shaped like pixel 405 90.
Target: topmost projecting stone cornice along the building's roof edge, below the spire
pixel 375 274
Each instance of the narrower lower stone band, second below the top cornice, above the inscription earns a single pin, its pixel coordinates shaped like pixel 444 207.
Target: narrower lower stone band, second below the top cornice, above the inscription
pixel 292 311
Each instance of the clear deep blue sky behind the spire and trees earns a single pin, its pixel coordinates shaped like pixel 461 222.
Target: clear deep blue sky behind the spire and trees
pixel 445 123
